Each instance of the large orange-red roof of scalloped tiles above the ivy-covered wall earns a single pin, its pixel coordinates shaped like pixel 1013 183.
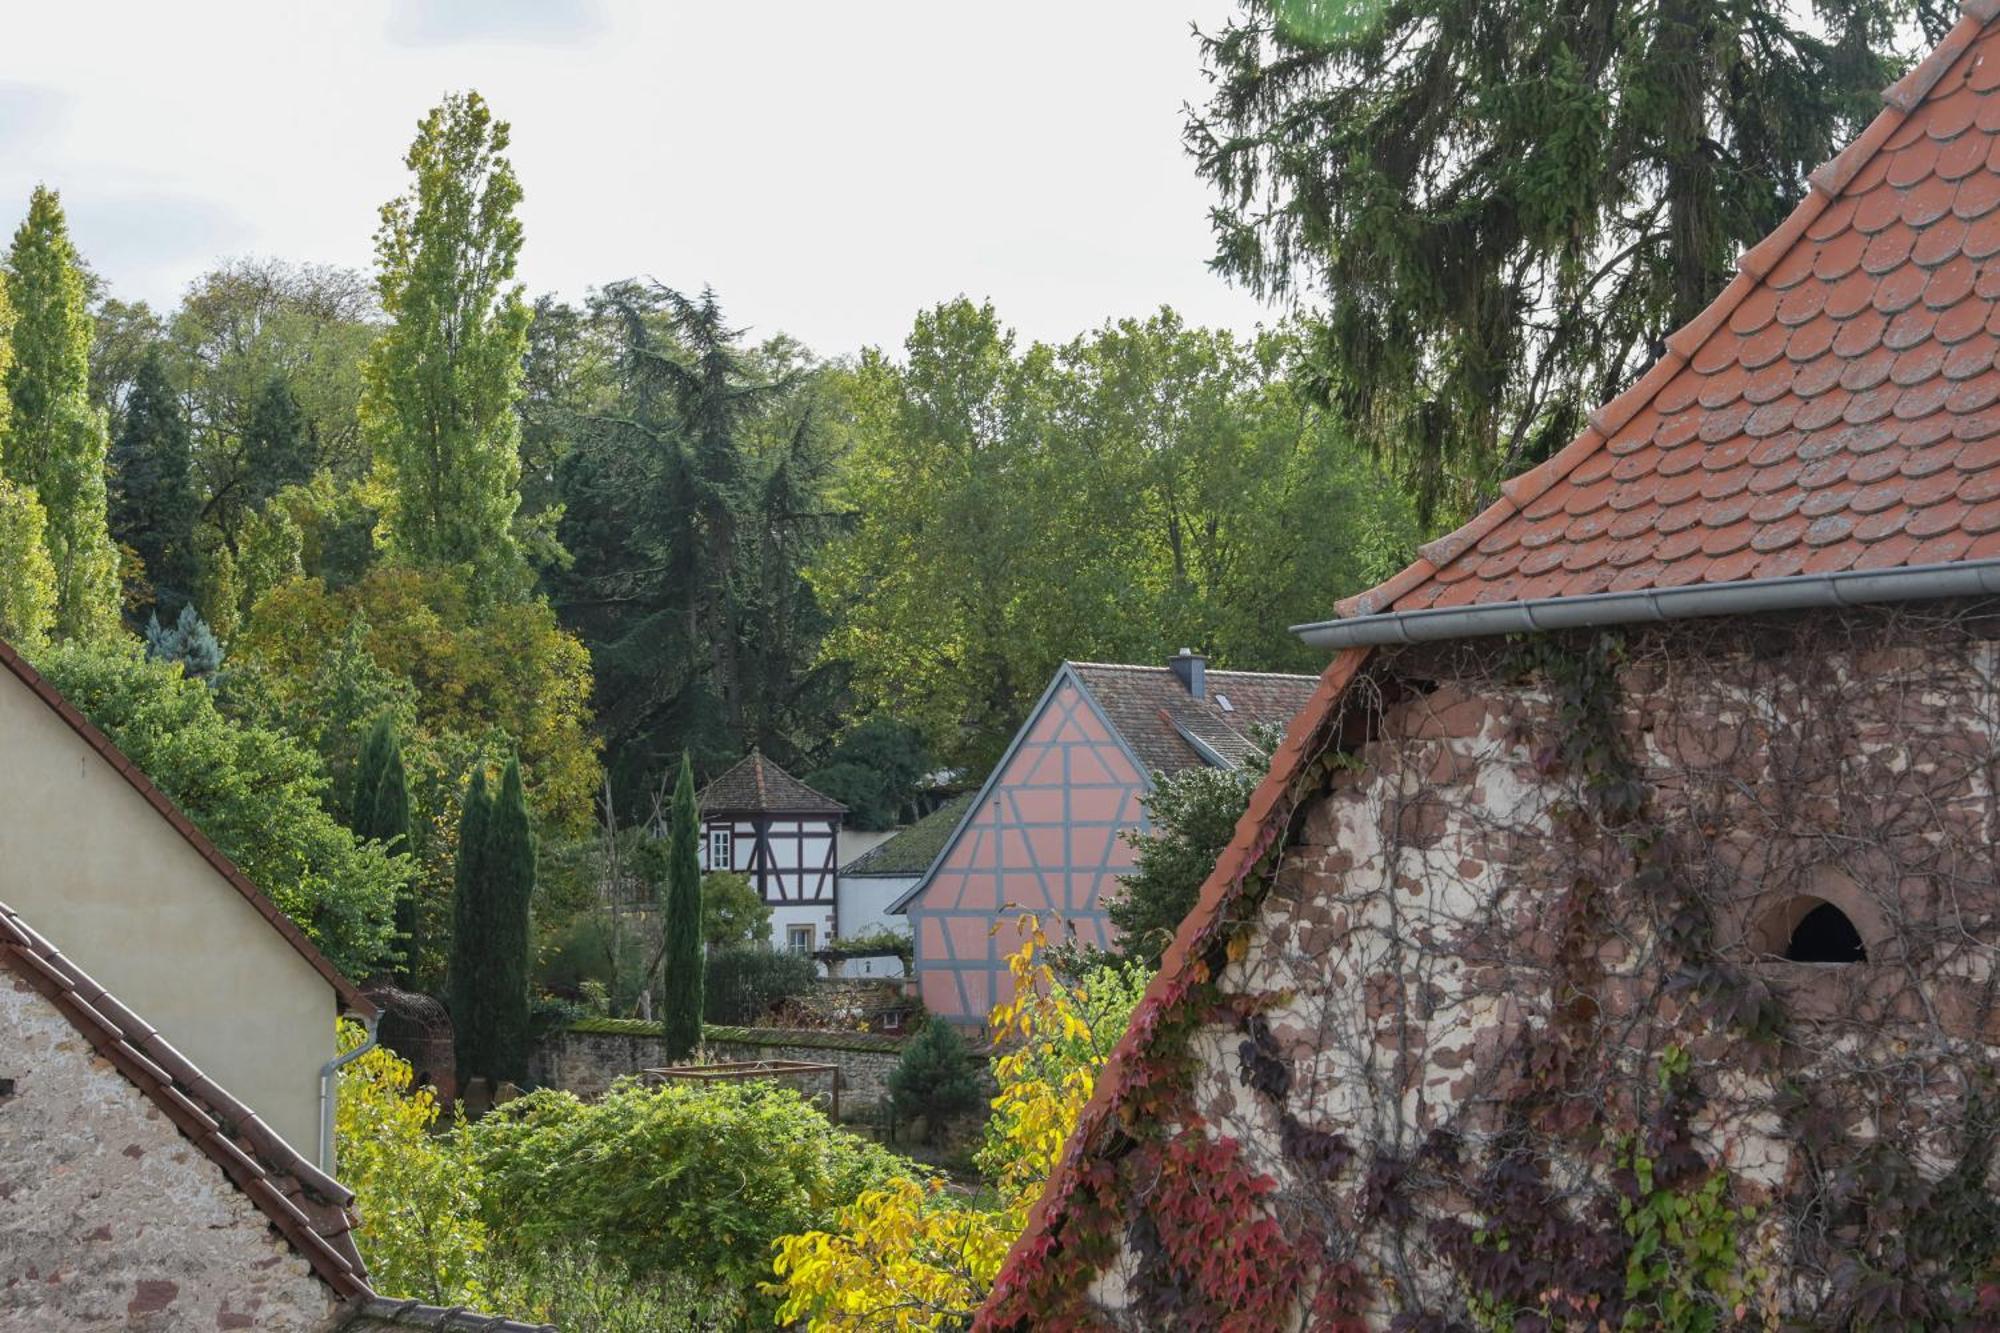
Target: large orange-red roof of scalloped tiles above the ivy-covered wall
pixel 1837 407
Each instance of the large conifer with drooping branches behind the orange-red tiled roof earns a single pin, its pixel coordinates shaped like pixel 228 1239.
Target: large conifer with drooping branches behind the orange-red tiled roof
pixel 1503 209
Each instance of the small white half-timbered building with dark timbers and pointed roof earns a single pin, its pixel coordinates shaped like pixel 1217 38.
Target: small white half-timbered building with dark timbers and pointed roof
pixel 767 826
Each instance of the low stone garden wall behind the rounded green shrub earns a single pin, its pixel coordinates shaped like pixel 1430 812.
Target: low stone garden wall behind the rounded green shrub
pixel 593 1054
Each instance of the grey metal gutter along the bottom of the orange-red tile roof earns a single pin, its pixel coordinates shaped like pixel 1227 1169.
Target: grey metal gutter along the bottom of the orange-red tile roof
pixel 1707 599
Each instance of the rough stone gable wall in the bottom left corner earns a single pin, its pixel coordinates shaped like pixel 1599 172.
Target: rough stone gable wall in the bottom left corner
pixel 111 1218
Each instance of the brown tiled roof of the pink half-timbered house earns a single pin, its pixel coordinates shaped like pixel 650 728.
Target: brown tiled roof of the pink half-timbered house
pixel 1155 712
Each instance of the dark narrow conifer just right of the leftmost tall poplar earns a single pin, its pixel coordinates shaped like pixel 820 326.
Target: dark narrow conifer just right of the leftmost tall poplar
pixel 155 505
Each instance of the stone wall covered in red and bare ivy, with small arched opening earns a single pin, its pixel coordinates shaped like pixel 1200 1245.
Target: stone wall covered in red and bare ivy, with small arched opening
pixel 1503 1036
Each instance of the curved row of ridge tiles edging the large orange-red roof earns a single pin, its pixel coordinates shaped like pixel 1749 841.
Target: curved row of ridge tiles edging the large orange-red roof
pixel 1825 185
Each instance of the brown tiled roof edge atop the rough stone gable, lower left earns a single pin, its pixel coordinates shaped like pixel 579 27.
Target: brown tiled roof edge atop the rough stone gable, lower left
pixel 233 1138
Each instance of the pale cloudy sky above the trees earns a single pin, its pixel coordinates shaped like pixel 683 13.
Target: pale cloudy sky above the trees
pixel 829 169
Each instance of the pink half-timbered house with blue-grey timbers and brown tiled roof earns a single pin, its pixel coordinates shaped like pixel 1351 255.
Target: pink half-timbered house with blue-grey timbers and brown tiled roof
pixel 1045 834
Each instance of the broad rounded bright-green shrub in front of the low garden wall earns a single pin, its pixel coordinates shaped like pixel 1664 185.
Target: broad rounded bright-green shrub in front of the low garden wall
pixel 673 1180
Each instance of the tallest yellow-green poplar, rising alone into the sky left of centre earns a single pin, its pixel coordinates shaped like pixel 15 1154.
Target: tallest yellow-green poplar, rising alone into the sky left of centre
pixel 445 377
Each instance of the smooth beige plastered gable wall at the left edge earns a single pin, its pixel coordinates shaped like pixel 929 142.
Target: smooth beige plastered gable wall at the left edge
pixel 91 866
